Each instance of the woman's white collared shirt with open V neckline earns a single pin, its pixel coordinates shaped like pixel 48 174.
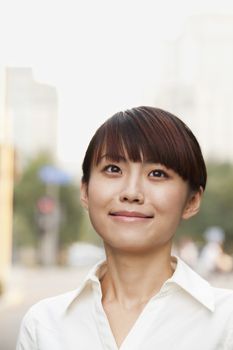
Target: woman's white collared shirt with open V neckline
pixel 186 314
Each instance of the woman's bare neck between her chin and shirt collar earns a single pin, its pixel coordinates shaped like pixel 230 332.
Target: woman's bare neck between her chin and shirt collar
pixel 133 279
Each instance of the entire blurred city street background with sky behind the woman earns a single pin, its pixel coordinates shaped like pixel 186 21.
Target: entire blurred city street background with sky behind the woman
pixel 65 67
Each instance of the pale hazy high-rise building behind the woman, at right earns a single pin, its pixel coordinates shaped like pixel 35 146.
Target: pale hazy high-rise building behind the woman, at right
pixel 197 81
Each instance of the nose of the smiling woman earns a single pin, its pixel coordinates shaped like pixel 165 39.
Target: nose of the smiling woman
pixel 132 193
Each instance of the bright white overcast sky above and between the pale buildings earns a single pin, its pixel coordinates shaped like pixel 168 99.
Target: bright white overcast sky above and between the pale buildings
pixel 101 55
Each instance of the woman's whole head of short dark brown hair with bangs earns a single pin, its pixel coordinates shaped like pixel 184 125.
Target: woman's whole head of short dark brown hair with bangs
pixel 147 133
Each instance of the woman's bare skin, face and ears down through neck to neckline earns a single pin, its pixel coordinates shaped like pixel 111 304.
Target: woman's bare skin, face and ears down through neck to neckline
pixel 136 208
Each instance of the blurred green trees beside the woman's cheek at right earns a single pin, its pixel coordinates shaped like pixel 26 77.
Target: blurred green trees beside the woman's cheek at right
pixel 217 205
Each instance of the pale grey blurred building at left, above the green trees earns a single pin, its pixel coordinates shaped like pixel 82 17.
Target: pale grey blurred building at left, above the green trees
pixel 33 109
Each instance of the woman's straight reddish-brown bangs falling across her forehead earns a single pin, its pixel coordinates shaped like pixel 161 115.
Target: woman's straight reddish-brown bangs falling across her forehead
pixel 137 141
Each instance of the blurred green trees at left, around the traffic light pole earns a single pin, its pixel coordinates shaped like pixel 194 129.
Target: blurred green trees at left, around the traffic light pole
pixel 28 190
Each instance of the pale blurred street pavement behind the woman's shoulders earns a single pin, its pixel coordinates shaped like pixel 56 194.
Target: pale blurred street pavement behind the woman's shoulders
pixel 30 285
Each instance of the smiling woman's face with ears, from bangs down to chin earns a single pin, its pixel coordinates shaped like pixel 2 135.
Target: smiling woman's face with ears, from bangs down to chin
pixel 136 206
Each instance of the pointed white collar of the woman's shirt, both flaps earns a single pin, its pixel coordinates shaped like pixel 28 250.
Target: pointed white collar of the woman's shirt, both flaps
pixel 183 276
